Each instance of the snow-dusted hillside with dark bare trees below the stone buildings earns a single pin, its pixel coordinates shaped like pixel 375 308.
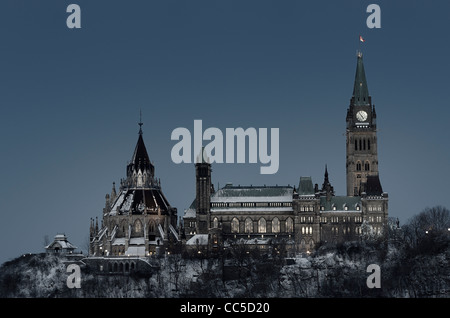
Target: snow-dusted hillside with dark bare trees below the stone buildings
pixel 331 272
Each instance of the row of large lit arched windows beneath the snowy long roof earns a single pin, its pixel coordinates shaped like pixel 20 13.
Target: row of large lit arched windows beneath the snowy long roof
pixel 262 225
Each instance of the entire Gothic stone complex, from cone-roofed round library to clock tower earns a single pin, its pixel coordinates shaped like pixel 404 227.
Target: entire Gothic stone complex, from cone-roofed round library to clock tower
pixel 139 220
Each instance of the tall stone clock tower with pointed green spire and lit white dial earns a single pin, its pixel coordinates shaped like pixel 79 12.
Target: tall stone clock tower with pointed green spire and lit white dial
pixel 361 135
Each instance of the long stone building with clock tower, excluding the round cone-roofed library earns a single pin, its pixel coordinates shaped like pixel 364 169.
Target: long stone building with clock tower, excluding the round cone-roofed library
pixel 297 218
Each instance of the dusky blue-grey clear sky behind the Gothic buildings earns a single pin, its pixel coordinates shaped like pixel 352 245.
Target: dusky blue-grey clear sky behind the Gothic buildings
pixel 70 99
